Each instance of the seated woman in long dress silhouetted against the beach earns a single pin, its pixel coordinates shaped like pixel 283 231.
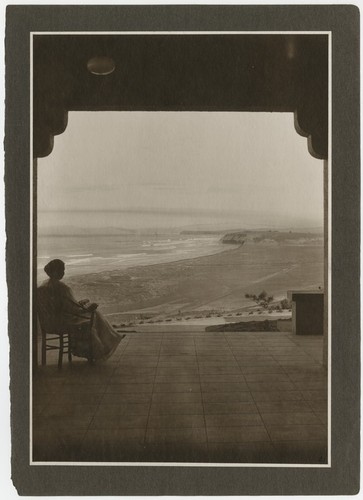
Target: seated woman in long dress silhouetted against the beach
pixel 71 313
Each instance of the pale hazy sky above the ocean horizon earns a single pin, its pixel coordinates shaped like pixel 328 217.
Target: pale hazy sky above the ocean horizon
pixel 180 169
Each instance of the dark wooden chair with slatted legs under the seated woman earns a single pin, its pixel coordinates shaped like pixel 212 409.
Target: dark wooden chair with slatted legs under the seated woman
pixel 53 336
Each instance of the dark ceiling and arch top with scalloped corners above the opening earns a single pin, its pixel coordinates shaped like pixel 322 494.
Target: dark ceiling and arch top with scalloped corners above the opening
pixel 183 73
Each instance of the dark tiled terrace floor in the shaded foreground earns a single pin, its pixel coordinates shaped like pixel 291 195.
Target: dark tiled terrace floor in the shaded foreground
pixel 187 397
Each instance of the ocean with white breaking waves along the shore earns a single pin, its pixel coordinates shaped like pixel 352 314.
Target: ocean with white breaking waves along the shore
pixel 91 254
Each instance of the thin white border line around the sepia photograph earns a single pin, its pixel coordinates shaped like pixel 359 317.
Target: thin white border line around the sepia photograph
pixel 328 222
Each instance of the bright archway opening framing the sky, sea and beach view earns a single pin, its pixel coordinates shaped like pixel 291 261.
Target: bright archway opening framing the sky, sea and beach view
pixel 183 218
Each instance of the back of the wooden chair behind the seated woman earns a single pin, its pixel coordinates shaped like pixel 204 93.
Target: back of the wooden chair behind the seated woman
pixel 47 310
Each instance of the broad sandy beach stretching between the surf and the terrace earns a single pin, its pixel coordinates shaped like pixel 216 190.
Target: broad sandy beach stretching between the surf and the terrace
pixel 202 288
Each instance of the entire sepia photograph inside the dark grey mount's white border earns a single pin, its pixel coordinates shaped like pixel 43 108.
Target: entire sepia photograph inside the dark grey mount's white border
pixel 179 253
